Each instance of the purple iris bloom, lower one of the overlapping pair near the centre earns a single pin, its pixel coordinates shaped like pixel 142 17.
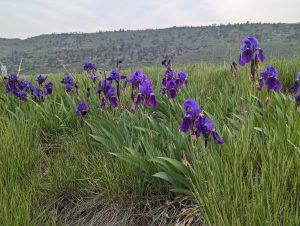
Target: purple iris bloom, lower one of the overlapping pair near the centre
pixel 146 94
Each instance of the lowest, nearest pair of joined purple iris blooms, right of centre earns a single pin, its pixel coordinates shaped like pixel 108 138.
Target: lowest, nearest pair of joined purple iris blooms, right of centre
pixel 195 121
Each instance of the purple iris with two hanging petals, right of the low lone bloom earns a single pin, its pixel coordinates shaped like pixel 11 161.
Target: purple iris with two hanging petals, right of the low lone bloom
pixel 109 94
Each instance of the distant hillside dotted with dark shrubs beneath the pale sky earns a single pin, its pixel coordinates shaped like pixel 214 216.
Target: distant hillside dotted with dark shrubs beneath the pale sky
pixel 48 53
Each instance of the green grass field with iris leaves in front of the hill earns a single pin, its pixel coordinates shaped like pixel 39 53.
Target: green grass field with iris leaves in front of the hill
pixel 57 168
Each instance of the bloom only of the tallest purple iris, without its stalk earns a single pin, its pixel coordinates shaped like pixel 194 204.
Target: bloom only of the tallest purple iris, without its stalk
pixel 248 49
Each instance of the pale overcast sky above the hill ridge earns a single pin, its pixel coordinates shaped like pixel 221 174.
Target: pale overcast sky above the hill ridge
pixel 28 18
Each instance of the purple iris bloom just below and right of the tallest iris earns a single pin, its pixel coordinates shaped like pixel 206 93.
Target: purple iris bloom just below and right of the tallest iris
pixel 269 78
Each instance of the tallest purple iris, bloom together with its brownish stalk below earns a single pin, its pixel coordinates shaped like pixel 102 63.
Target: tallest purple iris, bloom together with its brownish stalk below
pixel 251 53
